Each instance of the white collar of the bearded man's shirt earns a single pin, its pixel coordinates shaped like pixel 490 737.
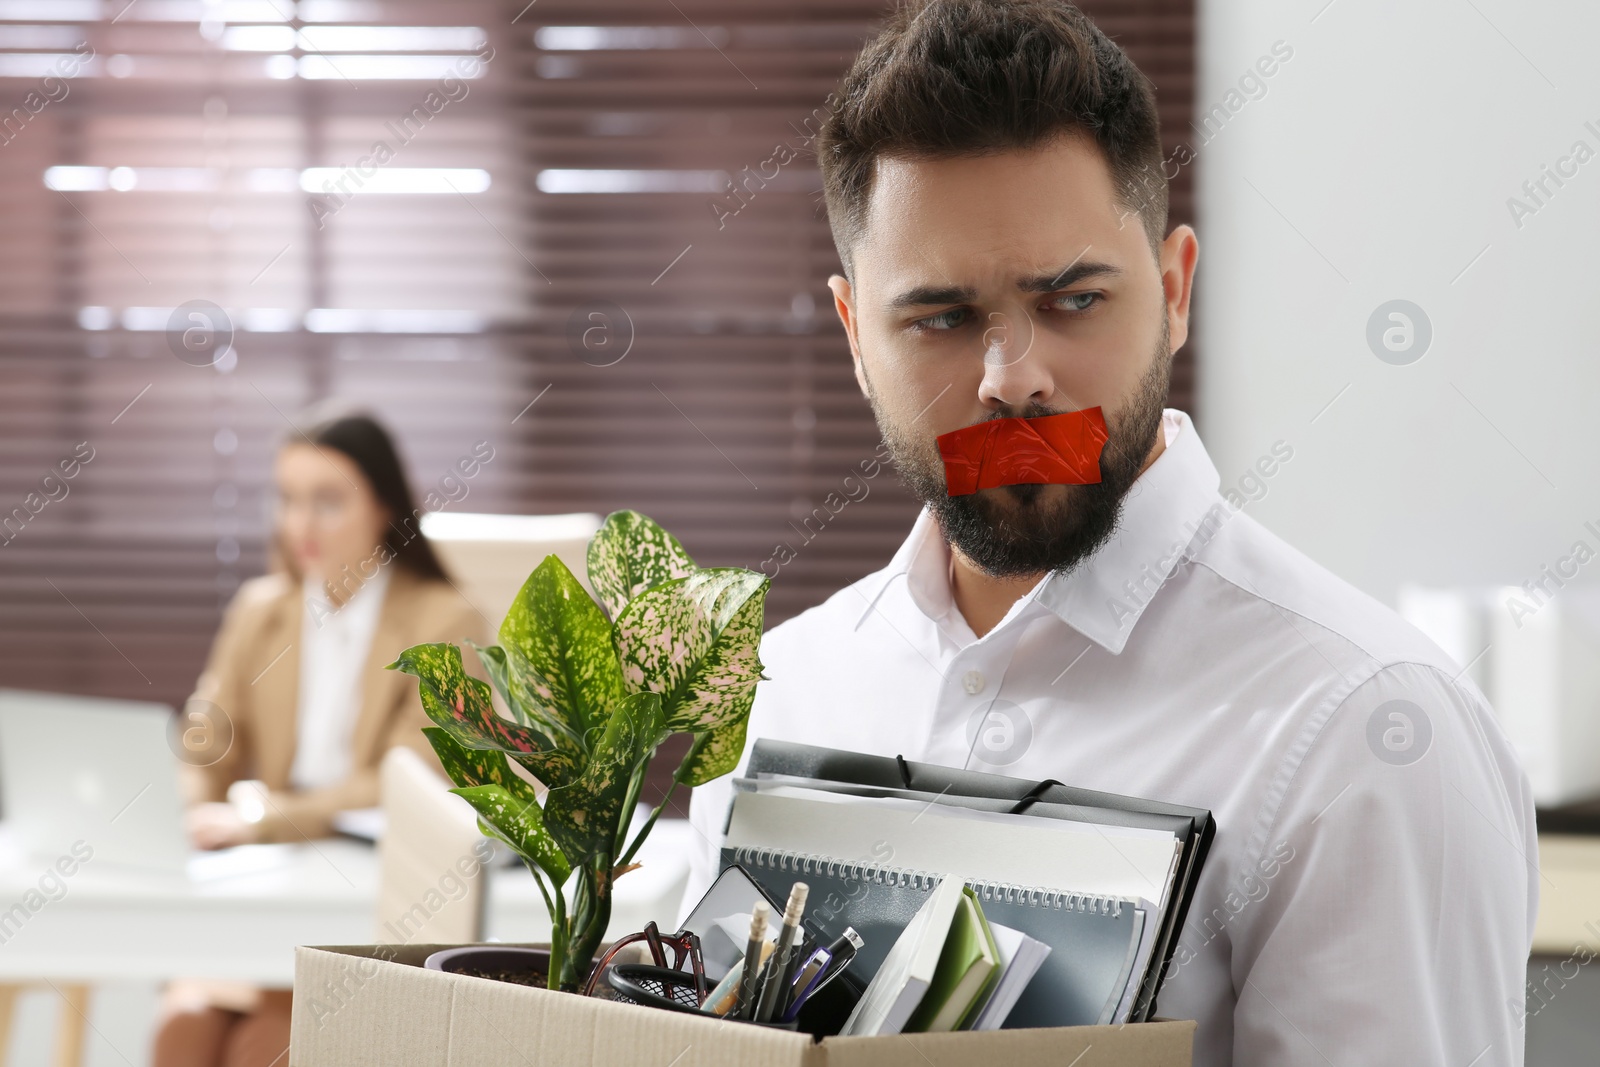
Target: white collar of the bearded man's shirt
pixel 1166 510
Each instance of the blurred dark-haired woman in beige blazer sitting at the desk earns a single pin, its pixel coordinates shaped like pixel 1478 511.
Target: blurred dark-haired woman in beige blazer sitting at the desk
pixel 295 693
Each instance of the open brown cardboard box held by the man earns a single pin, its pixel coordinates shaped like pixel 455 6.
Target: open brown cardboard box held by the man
pixel 377 1007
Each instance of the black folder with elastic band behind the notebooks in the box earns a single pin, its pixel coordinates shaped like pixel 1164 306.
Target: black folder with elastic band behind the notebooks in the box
pixel 1049 799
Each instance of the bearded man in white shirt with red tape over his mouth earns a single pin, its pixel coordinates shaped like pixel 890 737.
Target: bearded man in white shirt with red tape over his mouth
pixel 994 185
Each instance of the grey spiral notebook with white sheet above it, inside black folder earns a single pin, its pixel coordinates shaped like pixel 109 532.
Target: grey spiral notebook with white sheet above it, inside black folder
pixel 871 865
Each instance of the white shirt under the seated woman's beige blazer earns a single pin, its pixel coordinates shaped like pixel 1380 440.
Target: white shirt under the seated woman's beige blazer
pixel 335 644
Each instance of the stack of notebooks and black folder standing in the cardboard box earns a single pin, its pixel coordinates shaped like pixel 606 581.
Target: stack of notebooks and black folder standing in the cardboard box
pixel 948 873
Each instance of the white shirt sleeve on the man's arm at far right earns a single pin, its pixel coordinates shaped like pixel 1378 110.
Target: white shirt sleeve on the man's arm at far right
pixel 1399 916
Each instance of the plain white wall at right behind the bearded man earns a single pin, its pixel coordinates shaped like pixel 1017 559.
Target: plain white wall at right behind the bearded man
pixel 1385 151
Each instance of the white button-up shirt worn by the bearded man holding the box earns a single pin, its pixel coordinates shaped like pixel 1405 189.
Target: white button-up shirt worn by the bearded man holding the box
pixel 1374 884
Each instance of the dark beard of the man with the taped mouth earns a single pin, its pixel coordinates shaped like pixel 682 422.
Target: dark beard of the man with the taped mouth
pixel 1023 530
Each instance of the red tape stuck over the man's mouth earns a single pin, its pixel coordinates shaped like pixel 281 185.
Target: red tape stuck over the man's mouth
pixel 1050 450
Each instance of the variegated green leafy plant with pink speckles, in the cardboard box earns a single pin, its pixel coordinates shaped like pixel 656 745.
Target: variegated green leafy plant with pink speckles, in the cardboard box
pixel 593 690
